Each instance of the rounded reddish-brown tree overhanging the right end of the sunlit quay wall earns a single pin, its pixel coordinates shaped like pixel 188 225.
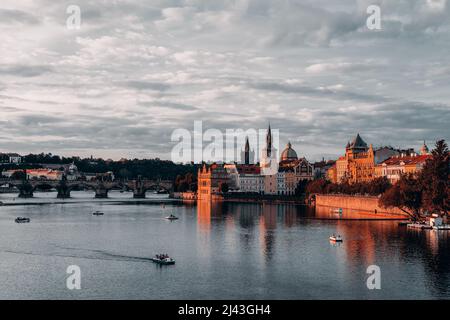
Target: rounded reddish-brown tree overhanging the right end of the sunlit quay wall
pixel 406 195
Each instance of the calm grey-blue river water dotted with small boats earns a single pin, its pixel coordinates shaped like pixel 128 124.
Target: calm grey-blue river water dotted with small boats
pixel 222 251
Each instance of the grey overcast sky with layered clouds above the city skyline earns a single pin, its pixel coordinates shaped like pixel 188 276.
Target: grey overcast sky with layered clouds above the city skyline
pixel 137 70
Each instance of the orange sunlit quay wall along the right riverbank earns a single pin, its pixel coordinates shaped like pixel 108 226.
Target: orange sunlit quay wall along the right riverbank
pixel 365 204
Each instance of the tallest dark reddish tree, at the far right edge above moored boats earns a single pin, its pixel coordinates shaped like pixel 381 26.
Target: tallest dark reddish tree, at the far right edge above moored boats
pixel 434 180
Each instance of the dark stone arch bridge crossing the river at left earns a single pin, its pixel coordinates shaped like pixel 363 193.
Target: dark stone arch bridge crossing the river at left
pixel 139 186
